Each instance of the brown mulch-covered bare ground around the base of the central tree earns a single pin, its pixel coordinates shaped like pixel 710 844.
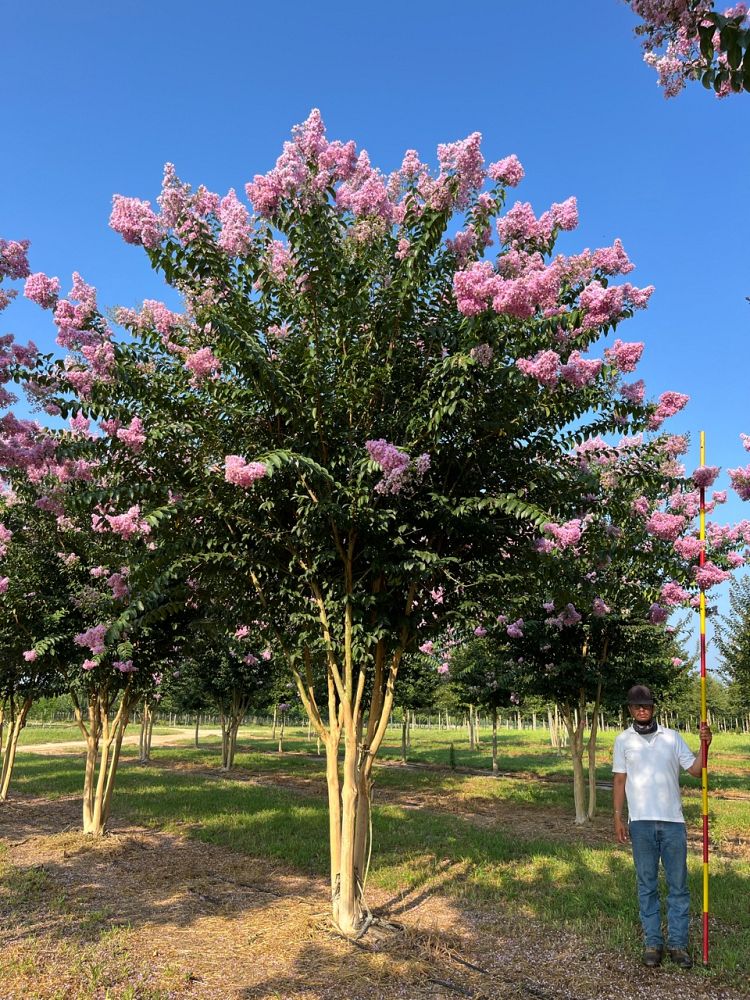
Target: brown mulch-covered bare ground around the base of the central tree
pixel 149 915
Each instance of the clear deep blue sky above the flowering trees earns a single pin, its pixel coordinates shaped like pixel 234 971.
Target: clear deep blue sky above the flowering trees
pixel 97 101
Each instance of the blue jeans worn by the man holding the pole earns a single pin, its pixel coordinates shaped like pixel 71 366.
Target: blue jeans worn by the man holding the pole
pixel 652 841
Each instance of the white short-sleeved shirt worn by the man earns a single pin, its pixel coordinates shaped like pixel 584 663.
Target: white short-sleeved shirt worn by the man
pixel 652 767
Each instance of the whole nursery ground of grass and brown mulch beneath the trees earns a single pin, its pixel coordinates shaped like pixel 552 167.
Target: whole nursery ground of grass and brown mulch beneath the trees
pixel 215 885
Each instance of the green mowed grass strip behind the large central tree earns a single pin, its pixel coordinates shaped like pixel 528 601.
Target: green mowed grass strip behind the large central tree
pixel 559 880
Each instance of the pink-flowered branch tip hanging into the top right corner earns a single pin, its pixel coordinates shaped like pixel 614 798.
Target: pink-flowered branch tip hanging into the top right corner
pixel 692 40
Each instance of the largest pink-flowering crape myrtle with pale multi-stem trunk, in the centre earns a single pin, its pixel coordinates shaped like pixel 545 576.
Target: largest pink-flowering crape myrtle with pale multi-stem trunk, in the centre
pixel 340 417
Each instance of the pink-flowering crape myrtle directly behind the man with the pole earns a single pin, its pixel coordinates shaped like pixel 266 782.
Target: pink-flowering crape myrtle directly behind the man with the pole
pixel 604 579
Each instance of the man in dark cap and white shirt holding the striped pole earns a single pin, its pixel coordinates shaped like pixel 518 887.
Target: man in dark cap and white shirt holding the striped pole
pixel 646 768
